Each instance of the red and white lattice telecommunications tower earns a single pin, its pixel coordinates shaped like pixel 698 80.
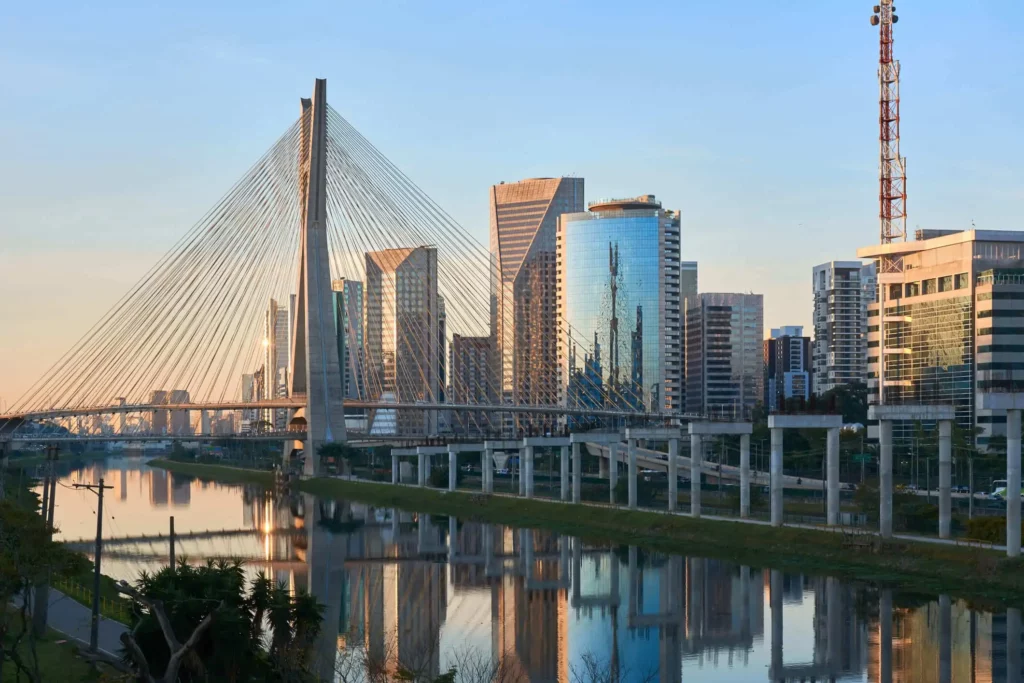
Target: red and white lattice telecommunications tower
pixel 892 167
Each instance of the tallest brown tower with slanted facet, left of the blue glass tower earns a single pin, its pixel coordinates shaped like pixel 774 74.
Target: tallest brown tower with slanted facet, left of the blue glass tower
pixel 524 223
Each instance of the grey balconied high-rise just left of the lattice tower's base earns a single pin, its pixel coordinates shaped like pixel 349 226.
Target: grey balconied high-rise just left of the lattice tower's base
pixel 842 292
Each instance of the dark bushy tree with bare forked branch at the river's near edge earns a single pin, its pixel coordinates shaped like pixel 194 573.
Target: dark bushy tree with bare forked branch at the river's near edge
pixel 223 627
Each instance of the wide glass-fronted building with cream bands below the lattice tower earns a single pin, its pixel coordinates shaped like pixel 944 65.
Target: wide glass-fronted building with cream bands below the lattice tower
pixel 954 325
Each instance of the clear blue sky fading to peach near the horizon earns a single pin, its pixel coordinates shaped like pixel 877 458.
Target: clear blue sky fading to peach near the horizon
pixel 122 123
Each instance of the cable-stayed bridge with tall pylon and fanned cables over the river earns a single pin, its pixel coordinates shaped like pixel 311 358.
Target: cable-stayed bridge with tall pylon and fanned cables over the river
pixel 315 304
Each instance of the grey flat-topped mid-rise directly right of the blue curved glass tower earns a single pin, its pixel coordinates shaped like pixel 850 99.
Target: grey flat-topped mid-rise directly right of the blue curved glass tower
pixel 724 355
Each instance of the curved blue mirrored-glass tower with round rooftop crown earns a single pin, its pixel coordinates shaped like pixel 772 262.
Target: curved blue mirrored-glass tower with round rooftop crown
pixel 619 304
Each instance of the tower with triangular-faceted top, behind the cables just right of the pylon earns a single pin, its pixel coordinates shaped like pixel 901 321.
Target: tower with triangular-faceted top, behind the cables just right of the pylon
pixel 402 333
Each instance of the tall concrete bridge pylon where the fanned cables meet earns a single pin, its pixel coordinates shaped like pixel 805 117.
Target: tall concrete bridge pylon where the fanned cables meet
pixel 316 369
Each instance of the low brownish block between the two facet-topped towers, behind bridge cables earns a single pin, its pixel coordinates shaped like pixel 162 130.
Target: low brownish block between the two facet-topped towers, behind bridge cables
pixel 471 370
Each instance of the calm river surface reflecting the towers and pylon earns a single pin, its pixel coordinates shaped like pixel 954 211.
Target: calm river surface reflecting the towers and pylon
pixel 426 593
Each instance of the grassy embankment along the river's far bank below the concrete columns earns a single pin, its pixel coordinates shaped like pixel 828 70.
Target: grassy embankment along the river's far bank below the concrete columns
pixel 925 568
